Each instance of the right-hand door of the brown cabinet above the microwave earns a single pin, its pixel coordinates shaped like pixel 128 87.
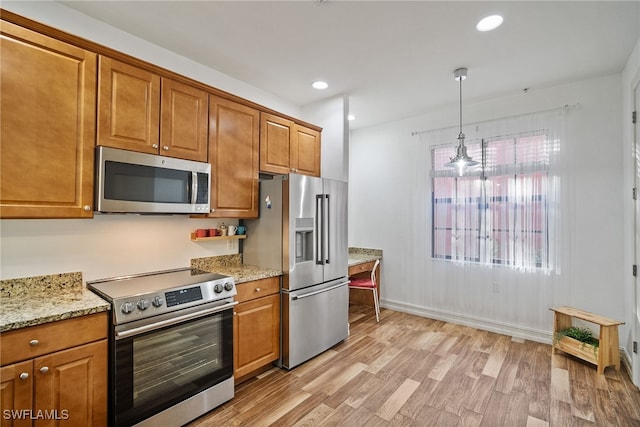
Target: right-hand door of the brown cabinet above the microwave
pixel 183 132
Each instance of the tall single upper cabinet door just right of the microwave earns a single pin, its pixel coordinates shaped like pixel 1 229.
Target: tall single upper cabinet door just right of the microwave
pixel 233 153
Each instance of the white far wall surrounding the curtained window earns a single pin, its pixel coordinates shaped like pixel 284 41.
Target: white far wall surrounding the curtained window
pixel 389 209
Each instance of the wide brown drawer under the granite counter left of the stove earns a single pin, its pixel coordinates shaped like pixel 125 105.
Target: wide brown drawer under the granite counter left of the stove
pixel 34 341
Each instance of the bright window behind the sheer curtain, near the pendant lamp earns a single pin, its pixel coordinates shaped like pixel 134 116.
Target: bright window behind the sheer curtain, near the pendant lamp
pixel 496 213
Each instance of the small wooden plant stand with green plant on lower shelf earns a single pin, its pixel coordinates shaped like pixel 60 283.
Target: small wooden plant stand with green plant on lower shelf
pixel 608 353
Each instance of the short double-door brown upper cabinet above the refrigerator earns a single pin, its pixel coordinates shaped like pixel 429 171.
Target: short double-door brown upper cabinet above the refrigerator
pixel 286 146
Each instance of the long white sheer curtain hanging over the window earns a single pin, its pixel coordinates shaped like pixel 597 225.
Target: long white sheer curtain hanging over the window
pixel 498 231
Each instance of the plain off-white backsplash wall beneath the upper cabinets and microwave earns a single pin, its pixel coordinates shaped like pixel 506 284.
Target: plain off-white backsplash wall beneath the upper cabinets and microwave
pixel 105 246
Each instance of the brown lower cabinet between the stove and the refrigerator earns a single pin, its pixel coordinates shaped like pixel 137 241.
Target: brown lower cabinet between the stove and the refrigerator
pixel 256 327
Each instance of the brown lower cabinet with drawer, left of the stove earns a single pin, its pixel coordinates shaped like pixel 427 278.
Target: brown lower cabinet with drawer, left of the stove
pixel 55 373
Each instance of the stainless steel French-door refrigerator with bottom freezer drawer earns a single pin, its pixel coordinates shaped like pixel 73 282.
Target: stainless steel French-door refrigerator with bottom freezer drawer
pixel 302 229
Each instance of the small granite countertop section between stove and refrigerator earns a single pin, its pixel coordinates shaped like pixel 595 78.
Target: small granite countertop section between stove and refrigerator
pixel 231 265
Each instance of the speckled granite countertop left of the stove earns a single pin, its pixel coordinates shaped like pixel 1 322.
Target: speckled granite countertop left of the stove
pixel 36 300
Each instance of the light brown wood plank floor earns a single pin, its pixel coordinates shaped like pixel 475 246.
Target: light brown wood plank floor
pixel 413 371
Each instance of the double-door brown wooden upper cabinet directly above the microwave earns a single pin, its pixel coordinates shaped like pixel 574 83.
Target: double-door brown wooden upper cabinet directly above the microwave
pixel 141 111
